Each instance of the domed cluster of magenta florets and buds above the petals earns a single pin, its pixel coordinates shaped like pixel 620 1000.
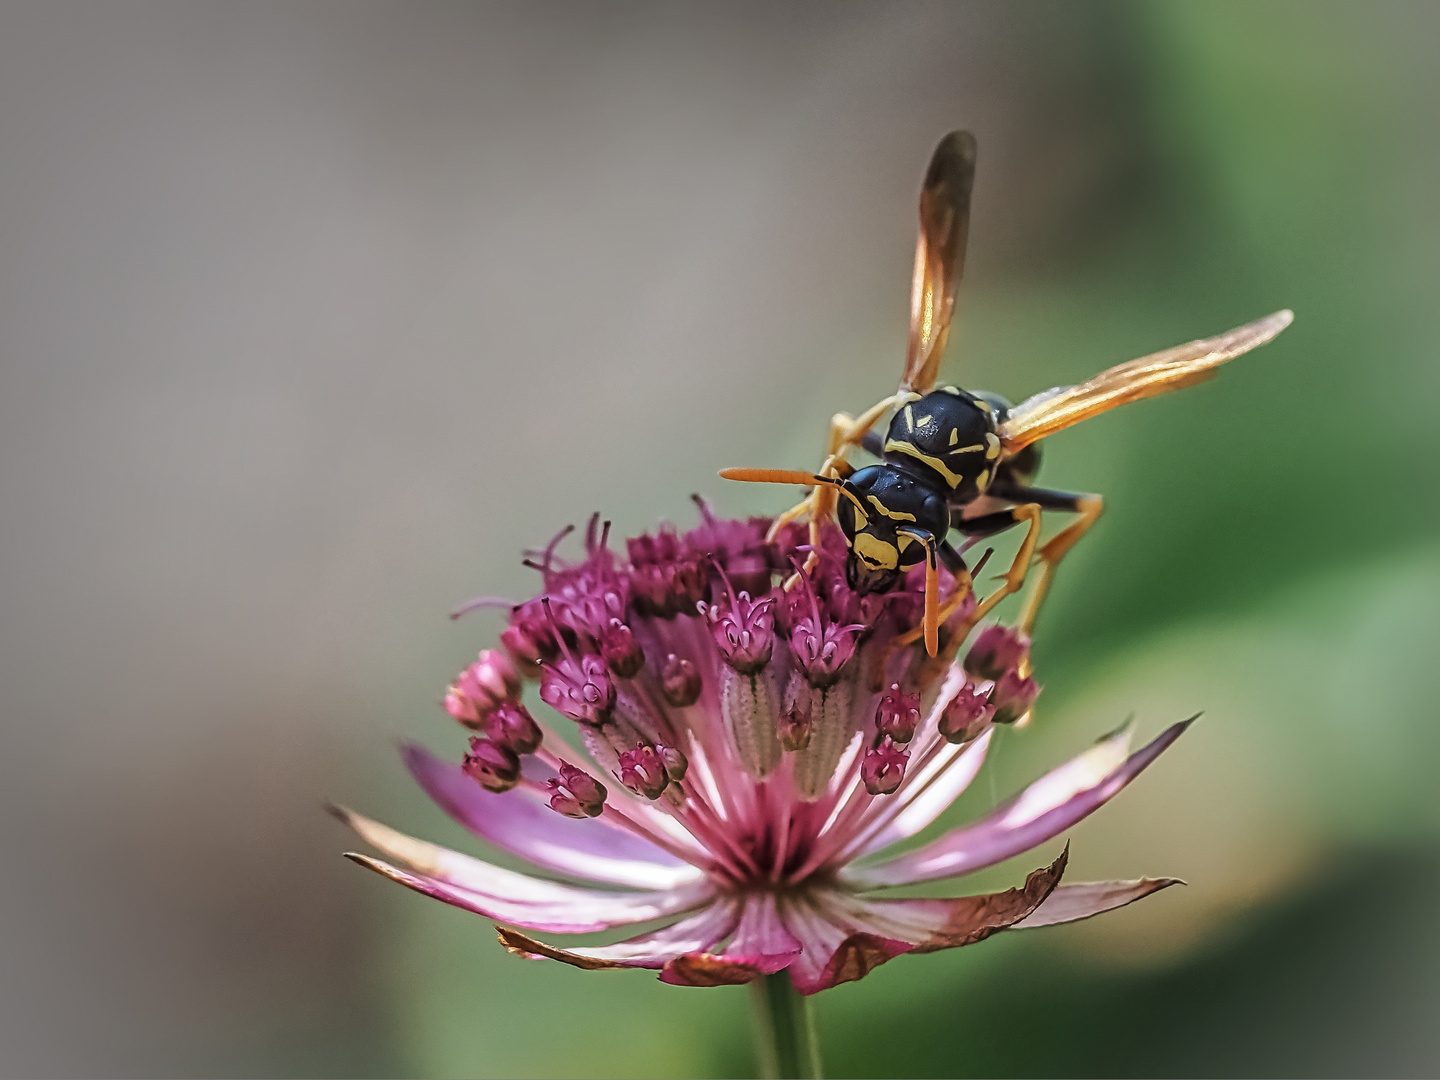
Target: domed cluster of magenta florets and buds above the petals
pixel 629 649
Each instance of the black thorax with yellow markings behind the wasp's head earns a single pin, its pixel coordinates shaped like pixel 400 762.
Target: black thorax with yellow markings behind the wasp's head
pixel 947 440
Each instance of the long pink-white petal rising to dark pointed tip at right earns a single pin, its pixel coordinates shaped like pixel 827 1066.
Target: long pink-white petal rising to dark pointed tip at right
pixel 1045 810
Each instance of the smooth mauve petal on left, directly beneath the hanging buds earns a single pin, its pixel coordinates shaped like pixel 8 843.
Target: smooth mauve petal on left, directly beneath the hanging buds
pixel 522 824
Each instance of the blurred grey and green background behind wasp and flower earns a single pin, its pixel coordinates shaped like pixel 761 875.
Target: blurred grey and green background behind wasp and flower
pixel 315 316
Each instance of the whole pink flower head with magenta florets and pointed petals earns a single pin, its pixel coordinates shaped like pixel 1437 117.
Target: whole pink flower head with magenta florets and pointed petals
pixel 754 758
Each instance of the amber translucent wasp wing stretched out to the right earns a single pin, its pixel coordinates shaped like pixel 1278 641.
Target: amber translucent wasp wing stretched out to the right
pixel 1150 377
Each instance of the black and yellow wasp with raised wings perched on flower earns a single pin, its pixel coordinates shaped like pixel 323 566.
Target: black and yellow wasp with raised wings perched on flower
pixel 966 462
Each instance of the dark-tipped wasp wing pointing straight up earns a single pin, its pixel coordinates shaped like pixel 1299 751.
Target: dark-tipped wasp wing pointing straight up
pixel 940 257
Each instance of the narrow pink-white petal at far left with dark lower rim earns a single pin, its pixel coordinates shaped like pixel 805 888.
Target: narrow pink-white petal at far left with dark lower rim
pixel 581 912
